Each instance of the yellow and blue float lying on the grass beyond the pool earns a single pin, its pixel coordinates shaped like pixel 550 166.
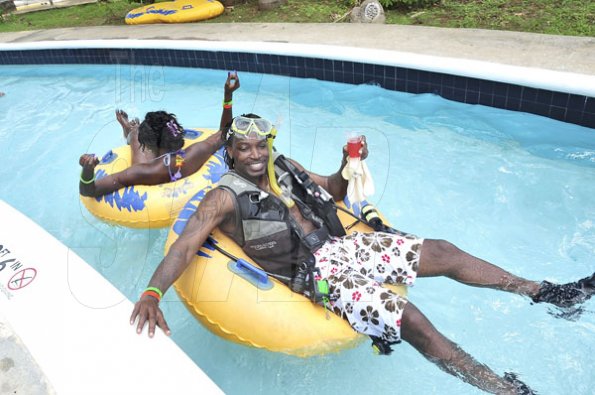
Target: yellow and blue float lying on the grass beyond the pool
pixel 179 11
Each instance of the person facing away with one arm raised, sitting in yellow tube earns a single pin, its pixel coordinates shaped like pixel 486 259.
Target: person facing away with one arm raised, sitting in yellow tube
pixel 156 146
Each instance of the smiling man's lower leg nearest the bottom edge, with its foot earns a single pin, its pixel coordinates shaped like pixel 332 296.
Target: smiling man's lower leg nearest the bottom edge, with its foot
pixel 418 331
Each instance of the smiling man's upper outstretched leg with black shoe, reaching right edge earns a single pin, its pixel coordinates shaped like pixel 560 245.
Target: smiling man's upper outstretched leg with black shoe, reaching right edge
pixel 441 258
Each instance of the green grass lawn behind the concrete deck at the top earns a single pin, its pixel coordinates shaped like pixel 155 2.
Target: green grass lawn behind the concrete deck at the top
pixel 563 17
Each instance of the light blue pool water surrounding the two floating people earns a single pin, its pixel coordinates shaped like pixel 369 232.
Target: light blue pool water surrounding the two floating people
pixel 513 188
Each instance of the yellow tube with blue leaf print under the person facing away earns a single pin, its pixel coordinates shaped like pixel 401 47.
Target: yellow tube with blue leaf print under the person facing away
pixel 151 206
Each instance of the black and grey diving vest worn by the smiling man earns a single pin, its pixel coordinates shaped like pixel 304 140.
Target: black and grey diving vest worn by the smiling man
pixel 265 230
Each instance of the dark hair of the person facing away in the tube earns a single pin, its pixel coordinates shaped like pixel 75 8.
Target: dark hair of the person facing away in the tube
pixel 161 129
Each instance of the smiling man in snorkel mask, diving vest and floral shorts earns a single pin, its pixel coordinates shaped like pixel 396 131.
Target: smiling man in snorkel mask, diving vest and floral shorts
pixel 305 239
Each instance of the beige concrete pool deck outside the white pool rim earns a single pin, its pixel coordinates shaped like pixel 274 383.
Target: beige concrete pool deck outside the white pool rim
pixel 556 53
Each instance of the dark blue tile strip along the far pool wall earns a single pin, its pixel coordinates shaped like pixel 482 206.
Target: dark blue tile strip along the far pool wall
pixel 561 106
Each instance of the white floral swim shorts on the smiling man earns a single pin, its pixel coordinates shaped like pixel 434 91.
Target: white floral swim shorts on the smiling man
pixel 357 265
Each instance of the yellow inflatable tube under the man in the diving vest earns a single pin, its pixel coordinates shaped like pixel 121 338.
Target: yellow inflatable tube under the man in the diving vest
pixel 233 306
